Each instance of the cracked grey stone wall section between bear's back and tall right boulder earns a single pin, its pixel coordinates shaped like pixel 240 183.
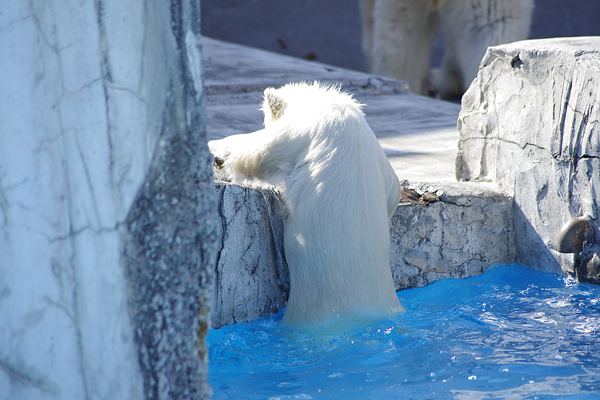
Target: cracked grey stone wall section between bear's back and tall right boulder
pixel 462 234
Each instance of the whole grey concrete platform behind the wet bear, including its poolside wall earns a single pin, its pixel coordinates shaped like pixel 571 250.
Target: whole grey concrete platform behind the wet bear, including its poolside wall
pixel 467 228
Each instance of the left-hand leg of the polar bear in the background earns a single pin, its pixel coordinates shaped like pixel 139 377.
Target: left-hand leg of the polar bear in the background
pixel 402 34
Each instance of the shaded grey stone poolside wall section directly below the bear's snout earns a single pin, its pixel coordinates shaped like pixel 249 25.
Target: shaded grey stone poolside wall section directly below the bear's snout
pixel 251 275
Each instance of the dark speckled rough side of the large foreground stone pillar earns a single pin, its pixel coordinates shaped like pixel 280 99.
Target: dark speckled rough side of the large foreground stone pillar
pixel 170 244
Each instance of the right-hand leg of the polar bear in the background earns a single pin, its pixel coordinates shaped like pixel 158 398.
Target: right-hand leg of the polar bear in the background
pixel 470 27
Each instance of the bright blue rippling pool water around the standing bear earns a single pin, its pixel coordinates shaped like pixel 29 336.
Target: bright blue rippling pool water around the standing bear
pixel 509 333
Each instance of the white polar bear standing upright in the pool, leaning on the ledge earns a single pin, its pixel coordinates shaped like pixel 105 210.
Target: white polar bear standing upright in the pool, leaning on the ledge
pixel 340 191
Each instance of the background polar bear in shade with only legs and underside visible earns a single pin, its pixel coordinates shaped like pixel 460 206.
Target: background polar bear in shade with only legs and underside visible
pixel 397 37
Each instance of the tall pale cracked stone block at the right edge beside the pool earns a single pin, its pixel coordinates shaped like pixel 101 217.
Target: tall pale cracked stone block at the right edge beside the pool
pixel 530 122
